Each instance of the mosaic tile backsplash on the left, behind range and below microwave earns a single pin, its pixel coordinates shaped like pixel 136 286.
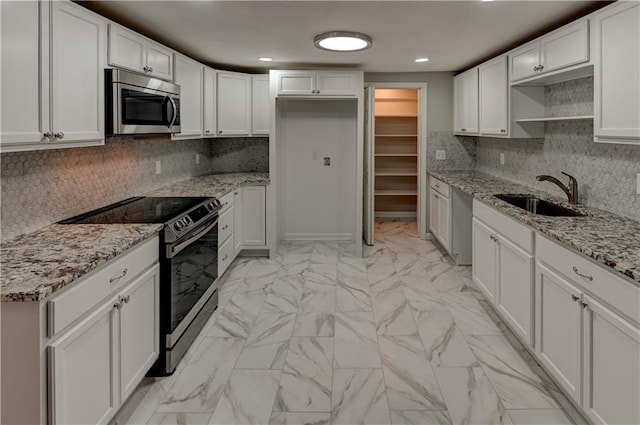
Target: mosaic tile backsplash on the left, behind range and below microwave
pixel 42 187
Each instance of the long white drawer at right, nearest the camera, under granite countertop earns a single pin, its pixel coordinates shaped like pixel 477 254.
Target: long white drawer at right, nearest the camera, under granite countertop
pixel 621 295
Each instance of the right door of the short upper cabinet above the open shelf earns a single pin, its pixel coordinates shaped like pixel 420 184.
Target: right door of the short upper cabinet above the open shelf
pixel 566 47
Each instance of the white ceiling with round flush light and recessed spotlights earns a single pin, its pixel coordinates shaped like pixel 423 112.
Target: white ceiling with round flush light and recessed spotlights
pixel 454 35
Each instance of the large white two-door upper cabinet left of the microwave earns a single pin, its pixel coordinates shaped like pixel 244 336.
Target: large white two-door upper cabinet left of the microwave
pixel 60 87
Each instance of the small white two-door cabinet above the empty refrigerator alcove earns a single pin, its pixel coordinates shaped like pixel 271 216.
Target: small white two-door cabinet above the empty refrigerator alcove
pixel 321 83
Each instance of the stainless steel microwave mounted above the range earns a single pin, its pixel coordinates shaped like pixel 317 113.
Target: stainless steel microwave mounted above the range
pixel 137 104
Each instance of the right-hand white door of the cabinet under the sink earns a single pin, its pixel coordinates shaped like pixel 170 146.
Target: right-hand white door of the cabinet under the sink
pixel 515 299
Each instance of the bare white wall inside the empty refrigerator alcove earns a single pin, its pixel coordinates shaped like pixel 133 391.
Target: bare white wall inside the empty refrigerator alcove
pixel 316 202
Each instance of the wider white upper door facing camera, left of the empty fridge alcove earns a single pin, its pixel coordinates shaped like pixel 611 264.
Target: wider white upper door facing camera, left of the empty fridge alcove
pixel 234 104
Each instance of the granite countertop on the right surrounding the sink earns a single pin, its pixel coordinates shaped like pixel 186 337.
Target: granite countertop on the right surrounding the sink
pixel 605 237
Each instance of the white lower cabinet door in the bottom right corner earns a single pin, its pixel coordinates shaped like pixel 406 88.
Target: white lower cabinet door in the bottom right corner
pixel 612 366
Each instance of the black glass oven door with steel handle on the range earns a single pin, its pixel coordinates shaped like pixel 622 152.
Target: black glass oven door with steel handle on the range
pixel 189 271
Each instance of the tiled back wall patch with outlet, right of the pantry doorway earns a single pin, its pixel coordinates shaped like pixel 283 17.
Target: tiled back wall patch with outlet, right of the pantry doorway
pixel 460 151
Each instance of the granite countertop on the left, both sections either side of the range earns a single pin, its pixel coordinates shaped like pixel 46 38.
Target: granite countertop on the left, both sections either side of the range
pixel 35 265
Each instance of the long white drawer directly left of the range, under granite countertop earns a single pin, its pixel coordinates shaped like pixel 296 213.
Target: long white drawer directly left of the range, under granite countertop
pixel 70 305
